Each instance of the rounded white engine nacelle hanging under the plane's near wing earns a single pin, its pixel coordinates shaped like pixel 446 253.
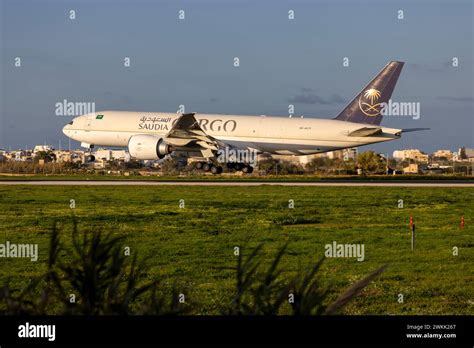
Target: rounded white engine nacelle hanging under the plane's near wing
pixel 148 147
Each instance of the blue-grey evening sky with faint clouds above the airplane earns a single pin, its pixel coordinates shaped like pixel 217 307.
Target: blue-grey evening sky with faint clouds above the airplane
pixel 191 61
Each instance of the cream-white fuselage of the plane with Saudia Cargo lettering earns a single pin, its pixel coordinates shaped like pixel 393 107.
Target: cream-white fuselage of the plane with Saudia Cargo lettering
pixel 275 135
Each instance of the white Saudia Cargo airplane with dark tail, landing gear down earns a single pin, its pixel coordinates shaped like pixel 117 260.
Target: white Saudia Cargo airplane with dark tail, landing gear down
pixel 154 135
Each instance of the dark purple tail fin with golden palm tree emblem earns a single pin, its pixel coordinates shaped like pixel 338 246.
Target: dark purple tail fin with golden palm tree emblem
pixel 365 108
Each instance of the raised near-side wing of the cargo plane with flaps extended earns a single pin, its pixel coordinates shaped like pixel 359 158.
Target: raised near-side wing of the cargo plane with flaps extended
pixel 187 131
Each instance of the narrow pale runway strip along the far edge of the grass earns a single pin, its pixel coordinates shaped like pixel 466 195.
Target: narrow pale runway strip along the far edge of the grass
pixel 230 183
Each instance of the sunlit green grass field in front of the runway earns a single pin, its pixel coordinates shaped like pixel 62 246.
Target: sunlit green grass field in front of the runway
pixel 192 248
